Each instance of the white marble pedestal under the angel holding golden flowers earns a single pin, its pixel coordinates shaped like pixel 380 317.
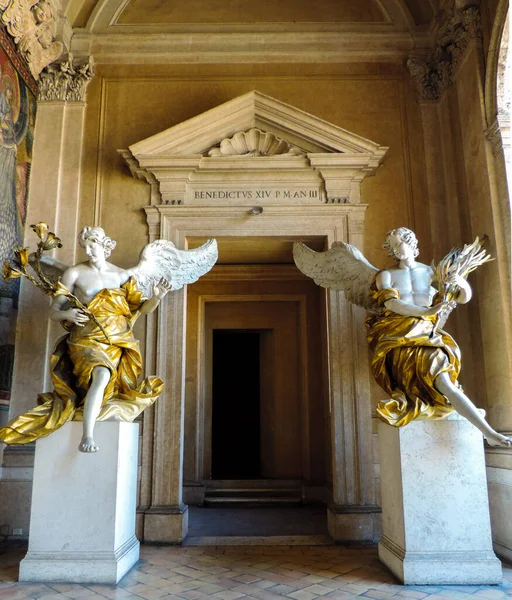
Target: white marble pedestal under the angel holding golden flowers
pixel 82 522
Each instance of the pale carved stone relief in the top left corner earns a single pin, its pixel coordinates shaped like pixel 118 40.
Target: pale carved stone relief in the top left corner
pixel 32 25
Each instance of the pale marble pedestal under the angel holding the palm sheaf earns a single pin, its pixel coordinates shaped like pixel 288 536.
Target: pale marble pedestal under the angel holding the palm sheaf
pixel 435 510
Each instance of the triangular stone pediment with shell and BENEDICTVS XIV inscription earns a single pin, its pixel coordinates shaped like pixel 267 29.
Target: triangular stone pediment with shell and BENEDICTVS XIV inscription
pixel 302 160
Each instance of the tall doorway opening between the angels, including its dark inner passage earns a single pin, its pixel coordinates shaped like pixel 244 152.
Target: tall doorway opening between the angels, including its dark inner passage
pixel 257 423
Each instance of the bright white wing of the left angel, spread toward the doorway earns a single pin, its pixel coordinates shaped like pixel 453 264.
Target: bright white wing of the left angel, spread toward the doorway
pixel 162 260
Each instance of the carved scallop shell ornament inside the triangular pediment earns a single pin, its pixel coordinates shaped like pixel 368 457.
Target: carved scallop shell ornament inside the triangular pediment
pixel 254 143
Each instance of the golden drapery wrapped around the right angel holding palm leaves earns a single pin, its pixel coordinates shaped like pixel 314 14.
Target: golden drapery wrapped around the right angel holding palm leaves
pixel 407 357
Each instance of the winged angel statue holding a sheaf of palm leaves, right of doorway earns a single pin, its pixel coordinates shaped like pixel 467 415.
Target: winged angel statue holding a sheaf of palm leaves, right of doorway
pixel 414 360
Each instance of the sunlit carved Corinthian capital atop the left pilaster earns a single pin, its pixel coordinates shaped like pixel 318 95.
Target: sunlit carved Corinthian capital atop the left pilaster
pixel 66 81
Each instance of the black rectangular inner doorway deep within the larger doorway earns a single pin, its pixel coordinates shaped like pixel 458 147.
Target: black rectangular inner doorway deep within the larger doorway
pixel 236 404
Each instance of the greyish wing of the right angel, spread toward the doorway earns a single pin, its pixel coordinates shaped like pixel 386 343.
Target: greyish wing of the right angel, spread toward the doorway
pixel 343 268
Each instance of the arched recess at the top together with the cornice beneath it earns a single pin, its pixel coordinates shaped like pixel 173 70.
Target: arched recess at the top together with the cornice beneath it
pixel 247 31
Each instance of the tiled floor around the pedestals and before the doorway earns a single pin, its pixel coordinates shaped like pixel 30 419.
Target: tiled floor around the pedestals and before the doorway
pixel 248 573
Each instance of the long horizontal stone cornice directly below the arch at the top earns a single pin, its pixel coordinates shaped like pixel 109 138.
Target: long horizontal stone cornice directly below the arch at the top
pixel 244 47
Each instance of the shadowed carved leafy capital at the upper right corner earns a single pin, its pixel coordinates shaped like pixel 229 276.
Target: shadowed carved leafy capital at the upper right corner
pixel 433 74
